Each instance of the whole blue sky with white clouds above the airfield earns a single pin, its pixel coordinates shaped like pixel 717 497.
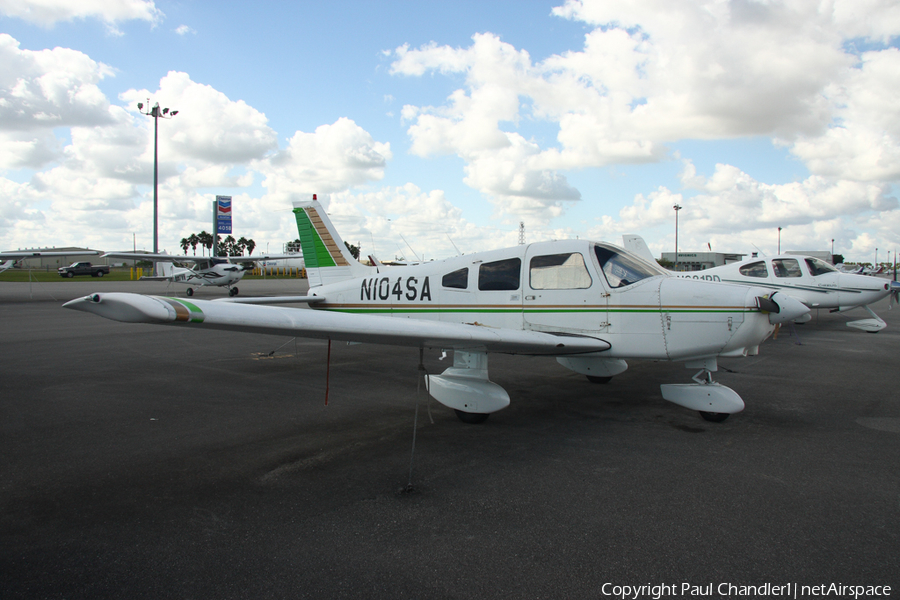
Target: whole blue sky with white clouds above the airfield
pixel 455 121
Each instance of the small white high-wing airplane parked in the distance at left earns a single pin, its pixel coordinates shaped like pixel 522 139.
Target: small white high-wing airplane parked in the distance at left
pixel 206 270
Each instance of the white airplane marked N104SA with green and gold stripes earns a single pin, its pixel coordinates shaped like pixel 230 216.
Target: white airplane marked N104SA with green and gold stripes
pixel 590 305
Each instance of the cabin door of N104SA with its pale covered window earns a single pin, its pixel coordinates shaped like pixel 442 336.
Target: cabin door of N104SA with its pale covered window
pixel 561 290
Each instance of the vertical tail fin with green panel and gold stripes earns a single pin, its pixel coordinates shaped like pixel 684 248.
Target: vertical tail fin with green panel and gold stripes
pixel 327 258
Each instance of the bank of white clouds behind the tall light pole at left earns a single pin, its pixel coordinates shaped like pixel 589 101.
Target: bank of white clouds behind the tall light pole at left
pixel 92 186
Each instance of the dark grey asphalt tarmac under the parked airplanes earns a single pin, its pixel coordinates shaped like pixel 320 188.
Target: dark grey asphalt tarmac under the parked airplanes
pixel 153 462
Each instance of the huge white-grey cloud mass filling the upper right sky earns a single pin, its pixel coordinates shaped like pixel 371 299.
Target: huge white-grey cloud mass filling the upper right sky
pixel 654 72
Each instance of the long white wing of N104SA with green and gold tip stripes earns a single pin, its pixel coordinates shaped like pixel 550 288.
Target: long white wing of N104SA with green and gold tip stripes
pixel 135 308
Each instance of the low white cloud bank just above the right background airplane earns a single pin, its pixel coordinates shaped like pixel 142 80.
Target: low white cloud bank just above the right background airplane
pixel 731 210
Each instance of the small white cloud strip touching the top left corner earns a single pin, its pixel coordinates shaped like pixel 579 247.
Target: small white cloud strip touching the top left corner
pixel 47 13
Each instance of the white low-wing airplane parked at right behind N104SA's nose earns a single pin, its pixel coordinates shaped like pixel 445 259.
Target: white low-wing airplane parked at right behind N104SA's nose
pixel 810 280
